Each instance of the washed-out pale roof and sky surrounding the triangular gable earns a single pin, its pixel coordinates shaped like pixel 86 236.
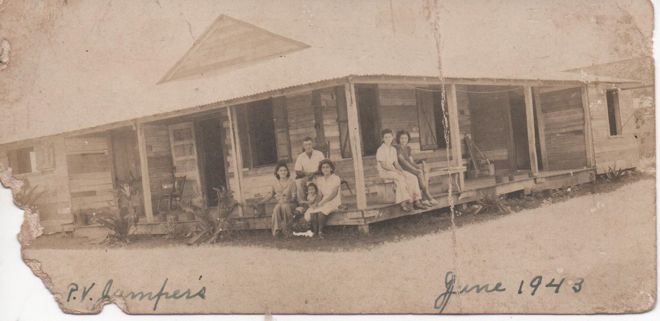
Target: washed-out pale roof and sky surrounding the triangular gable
pixel 88 63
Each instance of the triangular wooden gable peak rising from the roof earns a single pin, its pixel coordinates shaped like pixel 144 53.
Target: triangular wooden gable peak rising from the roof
pixel 230 42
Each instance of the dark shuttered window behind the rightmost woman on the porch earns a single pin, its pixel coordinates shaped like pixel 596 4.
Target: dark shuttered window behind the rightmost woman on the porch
pixel 431 116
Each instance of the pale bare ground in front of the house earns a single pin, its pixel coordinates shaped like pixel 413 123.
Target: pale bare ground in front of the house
pixel 604 234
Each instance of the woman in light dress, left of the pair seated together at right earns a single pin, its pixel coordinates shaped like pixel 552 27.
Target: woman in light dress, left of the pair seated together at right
pixel 407 189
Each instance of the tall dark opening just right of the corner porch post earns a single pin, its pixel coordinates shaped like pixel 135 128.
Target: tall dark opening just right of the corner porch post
pixel 367 105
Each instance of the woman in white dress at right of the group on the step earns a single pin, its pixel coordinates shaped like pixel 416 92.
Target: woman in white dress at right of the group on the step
pixel 329 185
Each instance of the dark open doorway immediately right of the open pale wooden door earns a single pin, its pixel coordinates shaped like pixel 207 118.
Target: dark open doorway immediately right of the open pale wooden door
pixel 211 139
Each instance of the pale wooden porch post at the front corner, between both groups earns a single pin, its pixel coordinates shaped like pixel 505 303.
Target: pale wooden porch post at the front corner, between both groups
pixel 356 144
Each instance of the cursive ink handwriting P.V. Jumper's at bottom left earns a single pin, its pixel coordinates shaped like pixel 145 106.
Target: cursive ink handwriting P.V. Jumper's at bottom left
pixel 86 293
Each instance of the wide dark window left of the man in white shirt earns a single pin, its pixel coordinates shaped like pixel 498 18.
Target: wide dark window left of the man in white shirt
pixel 256 131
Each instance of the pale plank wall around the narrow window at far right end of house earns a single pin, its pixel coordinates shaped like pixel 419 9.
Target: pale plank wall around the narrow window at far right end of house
pixel 620 151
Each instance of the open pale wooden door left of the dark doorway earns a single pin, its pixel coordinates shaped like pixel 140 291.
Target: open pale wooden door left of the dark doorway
pixel 184 157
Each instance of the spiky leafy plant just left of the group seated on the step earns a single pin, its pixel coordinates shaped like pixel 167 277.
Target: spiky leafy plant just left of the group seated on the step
pixel 213 224
